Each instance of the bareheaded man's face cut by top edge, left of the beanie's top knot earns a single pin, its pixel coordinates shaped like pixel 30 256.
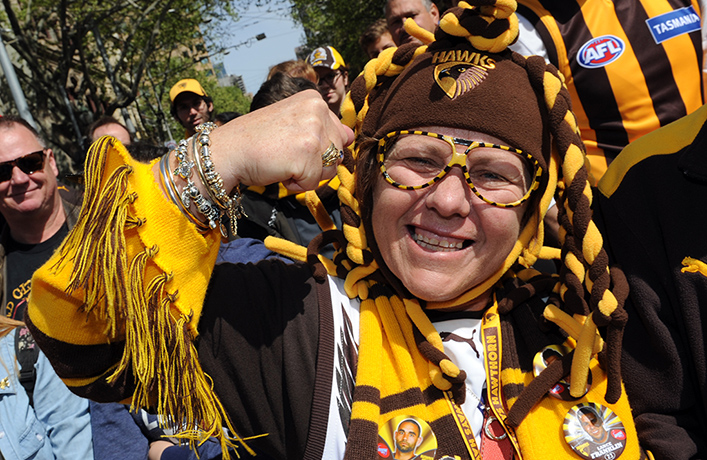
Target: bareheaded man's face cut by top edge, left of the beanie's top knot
pixel 423 12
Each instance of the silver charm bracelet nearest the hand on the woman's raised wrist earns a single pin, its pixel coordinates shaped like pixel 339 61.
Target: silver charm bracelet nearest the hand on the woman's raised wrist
pixel 231 205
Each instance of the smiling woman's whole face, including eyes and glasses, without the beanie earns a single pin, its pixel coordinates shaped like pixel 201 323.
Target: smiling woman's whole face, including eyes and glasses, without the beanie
pixel 429 235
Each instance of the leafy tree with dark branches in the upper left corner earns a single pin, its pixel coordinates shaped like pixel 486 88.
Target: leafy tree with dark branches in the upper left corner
pixel 80 59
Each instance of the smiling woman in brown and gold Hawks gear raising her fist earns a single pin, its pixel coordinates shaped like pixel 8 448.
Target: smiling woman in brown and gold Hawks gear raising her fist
pixel 428 317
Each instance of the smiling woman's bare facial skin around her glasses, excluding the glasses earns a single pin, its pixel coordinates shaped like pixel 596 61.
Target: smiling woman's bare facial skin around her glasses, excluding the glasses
pixel 443 240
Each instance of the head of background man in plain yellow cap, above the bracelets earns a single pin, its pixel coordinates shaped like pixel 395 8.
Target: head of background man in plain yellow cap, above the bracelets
pixel 191 106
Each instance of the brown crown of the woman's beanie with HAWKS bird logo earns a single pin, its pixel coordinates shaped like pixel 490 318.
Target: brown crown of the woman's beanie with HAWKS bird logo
pixel 456 86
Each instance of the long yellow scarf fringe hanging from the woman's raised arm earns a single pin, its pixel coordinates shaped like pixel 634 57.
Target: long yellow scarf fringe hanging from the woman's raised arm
pixel 158 344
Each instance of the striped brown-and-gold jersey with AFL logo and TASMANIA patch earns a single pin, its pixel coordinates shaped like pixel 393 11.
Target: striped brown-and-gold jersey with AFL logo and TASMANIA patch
pixel 631 66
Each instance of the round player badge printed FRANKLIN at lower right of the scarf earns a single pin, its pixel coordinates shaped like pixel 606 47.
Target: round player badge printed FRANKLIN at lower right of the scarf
pixel 594 432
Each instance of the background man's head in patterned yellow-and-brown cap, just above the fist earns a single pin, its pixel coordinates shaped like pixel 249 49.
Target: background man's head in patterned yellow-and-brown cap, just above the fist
pixel 333 75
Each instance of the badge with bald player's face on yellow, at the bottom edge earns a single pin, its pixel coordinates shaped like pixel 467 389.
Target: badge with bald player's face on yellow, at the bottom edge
pixel 406 437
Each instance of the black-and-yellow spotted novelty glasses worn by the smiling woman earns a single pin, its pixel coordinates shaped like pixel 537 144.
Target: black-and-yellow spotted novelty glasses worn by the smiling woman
pixel 500 175
